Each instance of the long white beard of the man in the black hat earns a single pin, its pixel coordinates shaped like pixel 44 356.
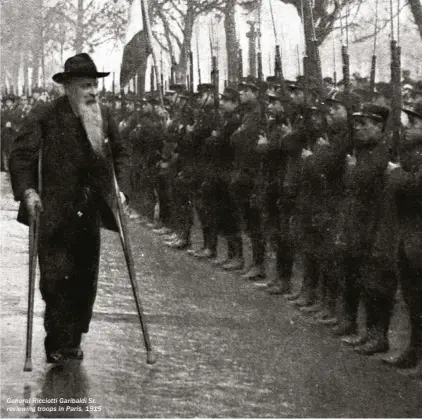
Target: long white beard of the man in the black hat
pixel 92 121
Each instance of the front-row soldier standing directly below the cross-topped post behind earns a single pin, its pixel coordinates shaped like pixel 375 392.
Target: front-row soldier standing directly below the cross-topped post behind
pixel 245 186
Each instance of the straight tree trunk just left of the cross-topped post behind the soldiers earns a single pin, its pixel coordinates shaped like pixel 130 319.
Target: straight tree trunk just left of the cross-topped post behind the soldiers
pixel 232 46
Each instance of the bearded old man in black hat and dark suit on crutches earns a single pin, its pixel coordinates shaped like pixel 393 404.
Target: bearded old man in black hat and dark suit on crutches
pixel 79 143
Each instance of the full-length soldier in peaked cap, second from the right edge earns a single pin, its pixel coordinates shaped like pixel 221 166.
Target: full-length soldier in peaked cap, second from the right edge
pixel 364 181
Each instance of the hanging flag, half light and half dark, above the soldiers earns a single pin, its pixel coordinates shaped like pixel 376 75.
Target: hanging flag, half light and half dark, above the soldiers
pixel 136 51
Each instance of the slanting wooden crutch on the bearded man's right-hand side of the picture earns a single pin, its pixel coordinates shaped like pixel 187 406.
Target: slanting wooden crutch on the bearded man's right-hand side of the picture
pixel 127 250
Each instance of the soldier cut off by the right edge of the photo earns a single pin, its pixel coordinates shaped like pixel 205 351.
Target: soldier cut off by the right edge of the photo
pixel 404 185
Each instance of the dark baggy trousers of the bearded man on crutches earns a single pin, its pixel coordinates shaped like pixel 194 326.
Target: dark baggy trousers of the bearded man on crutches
pixel 69 260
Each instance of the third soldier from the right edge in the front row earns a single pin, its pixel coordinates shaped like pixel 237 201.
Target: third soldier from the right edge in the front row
pixel 322 191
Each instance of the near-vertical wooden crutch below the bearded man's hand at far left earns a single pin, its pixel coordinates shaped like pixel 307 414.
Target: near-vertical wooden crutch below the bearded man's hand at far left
pixel 33 253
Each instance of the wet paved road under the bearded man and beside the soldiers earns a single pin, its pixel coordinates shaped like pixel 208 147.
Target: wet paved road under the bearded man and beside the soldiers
pixel 225 349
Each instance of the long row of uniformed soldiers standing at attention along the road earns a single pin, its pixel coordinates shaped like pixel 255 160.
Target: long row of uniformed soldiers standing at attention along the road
pixel 279 164
